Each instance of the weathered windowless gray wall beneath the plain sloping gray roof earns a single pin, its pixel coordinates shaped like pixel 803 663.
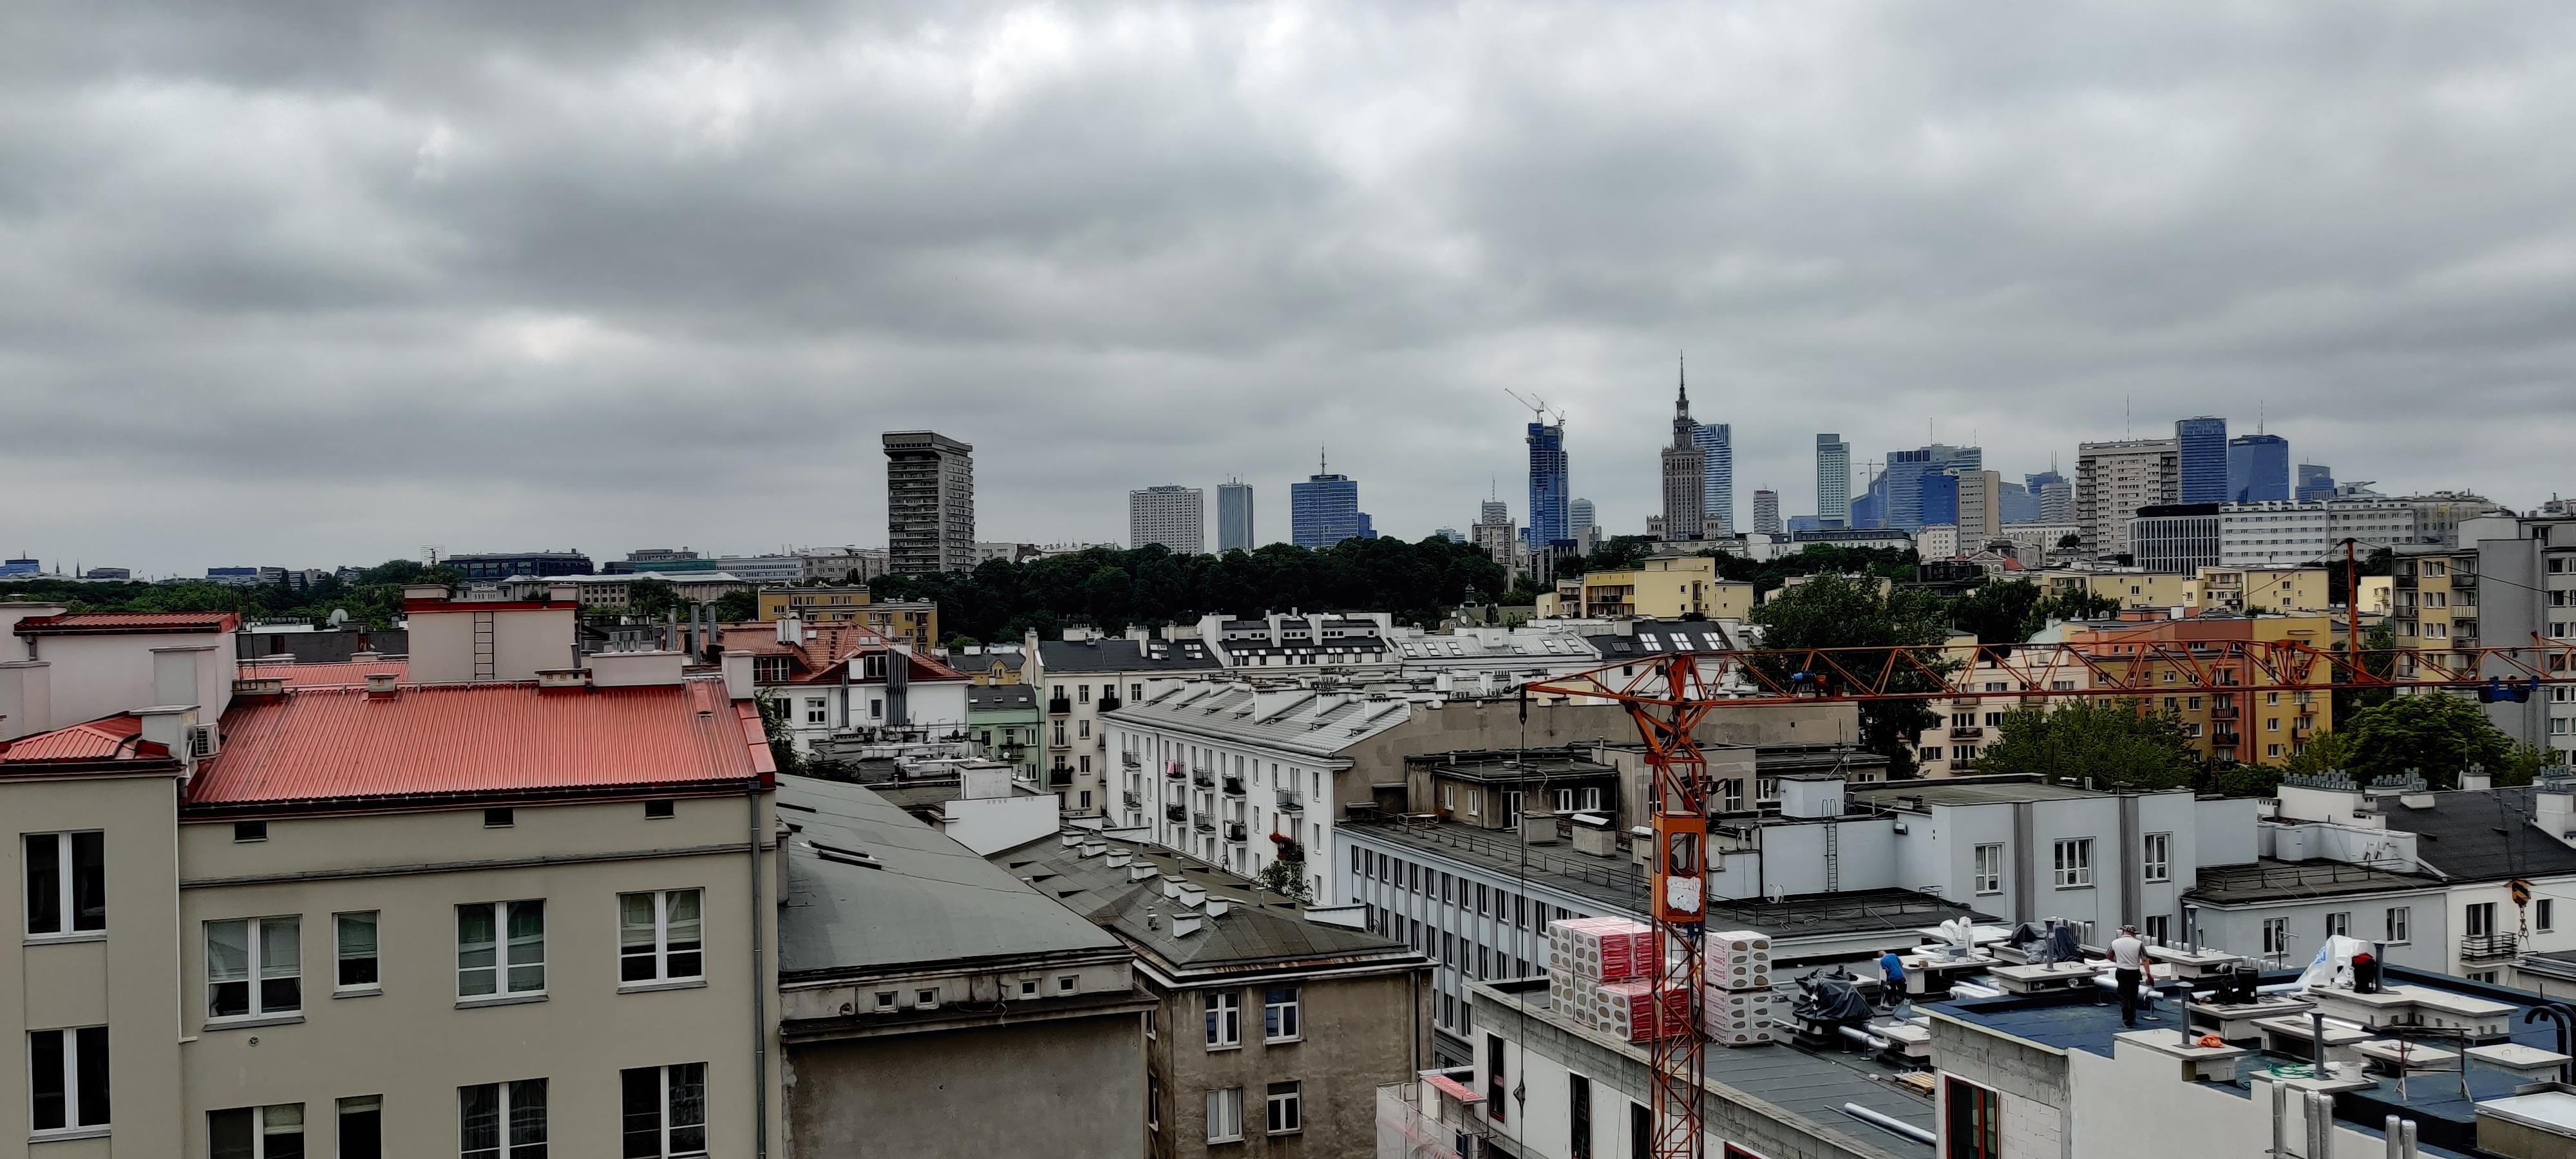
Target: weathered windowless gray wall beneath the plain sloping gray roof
pixel 1070 1088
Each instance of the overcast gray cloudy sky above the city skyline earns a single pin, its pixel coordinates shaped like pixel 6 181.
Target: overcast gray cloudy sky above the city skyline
pixel 316 285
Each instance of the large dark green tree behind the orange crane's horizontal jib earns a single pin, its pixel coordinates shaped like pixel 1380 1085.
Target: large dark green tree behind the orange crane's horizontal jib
pixel 1835 612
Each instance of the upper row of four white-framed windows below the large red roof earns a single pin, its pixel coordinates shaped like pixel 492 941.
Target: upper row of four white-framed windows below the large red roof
pixel 256 965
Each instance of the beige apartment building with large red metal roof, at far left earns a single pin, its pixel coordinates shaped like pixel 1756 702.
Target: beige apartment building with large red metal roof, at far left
pixel 473 908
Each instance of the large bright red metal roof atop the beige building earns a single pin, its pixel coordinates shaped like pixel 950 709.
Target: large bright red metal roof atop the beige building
pixel 336 746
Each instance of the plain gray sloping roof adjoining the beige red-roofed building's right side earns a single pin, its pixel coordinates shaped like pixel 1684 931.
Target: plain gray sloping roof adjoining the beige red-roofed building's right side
pixel 934 900
